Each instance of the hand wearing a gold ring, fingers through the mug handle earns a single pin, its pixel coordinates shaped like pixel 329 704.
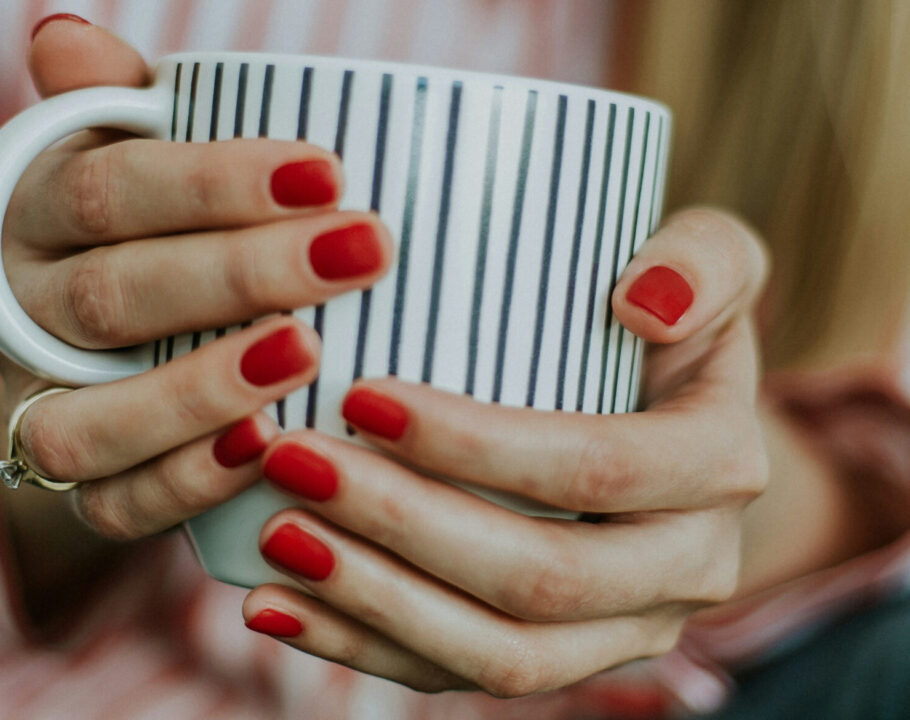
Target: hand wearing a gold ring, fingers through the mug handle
pixel 111 241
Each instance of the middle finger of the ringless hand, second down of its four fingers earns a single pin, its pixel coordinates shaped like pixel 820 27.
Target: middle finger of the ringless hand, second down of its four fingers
pixel 544 570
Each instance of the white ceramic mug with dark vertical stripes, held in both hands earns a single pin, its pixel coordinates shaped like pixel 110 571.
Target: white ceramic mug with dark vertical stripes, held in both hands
pixel 516 202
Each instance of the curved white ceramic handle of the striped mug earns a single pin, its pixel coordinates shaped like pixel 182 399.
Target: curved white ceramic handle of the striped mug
pixel 145 111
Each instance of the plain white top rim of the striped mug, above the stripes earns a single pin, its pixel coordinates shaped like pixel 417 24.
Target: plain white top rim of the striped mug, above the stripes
pixel 436 71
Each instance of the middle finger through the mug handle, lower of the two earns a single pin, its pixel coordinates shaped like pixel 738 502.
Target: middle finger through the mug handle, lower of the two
pixel 135 291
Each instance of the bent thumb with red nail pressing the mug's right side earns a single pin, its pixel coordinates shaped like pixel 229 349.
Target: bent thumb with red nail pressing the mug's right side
pixel 690 291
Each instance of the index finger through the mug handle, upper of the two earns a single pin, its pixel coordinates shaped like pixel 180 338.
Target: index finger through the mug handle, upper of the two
pixel 137 188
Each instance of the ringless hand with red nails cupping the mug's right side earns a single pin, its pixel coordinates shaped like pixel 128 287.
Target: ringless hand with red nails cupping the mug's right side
pixel 423 583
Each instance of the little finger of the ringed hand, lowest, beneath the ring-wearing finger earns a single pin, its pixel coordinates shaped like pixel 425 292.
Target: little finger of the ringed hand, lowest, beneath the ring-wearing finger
pixel 178 485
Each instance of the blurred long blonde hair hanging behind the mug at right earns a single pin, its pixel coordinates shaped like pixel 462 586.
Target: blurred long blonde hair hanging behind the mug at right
pixel 796 114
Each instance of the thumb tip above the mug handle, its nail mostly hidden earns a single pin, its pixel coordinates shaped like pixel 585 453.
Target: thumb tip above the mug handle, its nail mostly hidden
pixel 68 53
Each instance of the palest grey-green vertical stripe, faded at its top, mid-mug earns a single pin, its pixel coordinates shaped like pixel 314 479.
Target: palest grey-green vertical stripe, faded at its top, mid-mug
pixel 486 212
